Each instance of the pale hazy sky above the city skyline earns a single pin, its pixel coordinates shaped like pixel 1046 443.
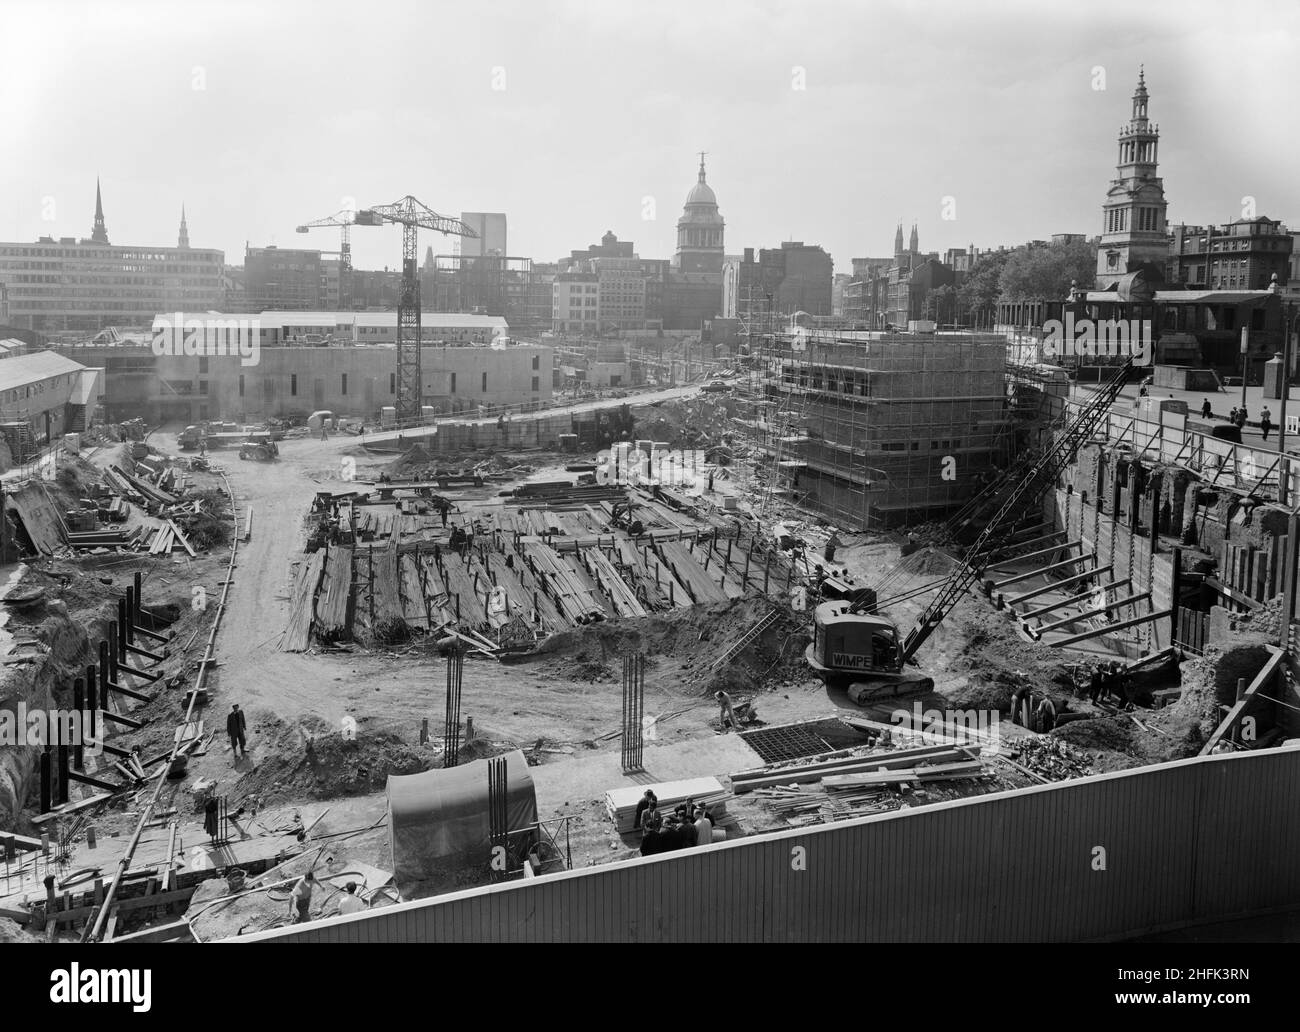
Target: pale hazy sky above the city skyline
pixel 570 116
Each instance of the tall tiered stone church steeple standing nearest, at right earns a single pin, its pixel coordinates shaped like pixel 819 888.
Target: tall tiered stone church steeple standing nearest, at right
pixel 1134 224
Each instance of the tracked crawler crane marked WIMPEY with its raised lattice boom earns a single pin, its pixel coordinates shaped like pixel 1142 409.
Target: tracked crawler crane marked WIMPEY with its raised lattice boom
pixel 856 647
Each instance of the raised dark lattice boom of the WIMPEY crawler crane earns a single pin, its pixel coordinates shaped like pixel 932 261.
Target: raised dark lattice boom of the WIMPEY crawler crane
pixel 1029 488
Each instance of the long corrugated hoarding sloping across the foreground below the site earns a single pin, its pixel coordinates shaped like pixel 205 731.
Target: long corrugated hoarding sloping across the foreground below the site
pixel 1104 857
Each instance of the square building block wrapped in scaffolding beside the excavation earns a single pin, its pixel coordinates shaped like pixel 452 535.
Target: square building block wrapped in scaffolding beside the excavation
pixel 877 431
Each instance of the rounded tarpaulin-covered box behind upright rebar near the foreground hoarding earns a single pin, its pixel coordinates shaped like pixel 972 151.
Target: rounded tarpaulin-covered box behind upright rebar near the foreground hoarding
pixel 439 822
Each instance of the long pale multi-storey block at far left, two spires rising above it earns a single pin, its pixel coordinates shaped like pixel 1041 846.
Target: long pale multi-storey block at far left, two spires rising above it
pixel 83 287
